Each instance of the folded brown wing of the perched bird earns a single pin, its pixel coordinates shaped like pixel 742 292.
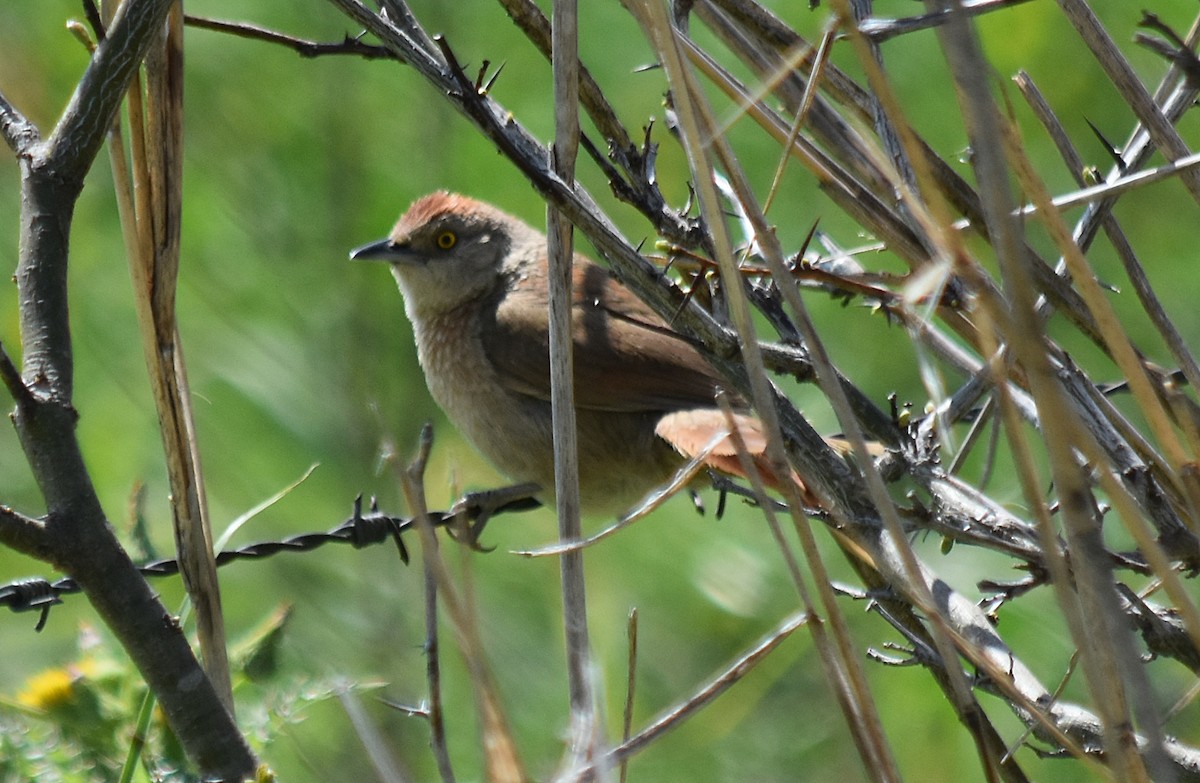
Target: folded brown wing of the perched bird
pixel 626 357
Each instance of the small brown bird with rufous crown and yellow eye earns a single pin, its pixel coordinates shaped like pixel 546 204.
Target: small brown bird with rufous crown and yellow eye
pixel 475 282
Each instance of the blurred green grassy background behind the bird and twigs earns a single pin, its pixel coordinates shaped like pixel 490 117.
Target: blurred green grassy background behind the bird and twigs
pixel 299 358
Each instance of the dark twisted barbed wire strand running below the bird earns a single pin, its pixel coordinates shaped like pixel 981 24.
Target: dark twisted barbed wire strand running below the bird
pixel 361 530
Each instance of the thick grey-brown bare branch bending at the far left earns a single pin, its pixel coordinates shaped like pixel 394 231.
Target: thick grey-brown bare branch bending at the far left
pixel 77 537
